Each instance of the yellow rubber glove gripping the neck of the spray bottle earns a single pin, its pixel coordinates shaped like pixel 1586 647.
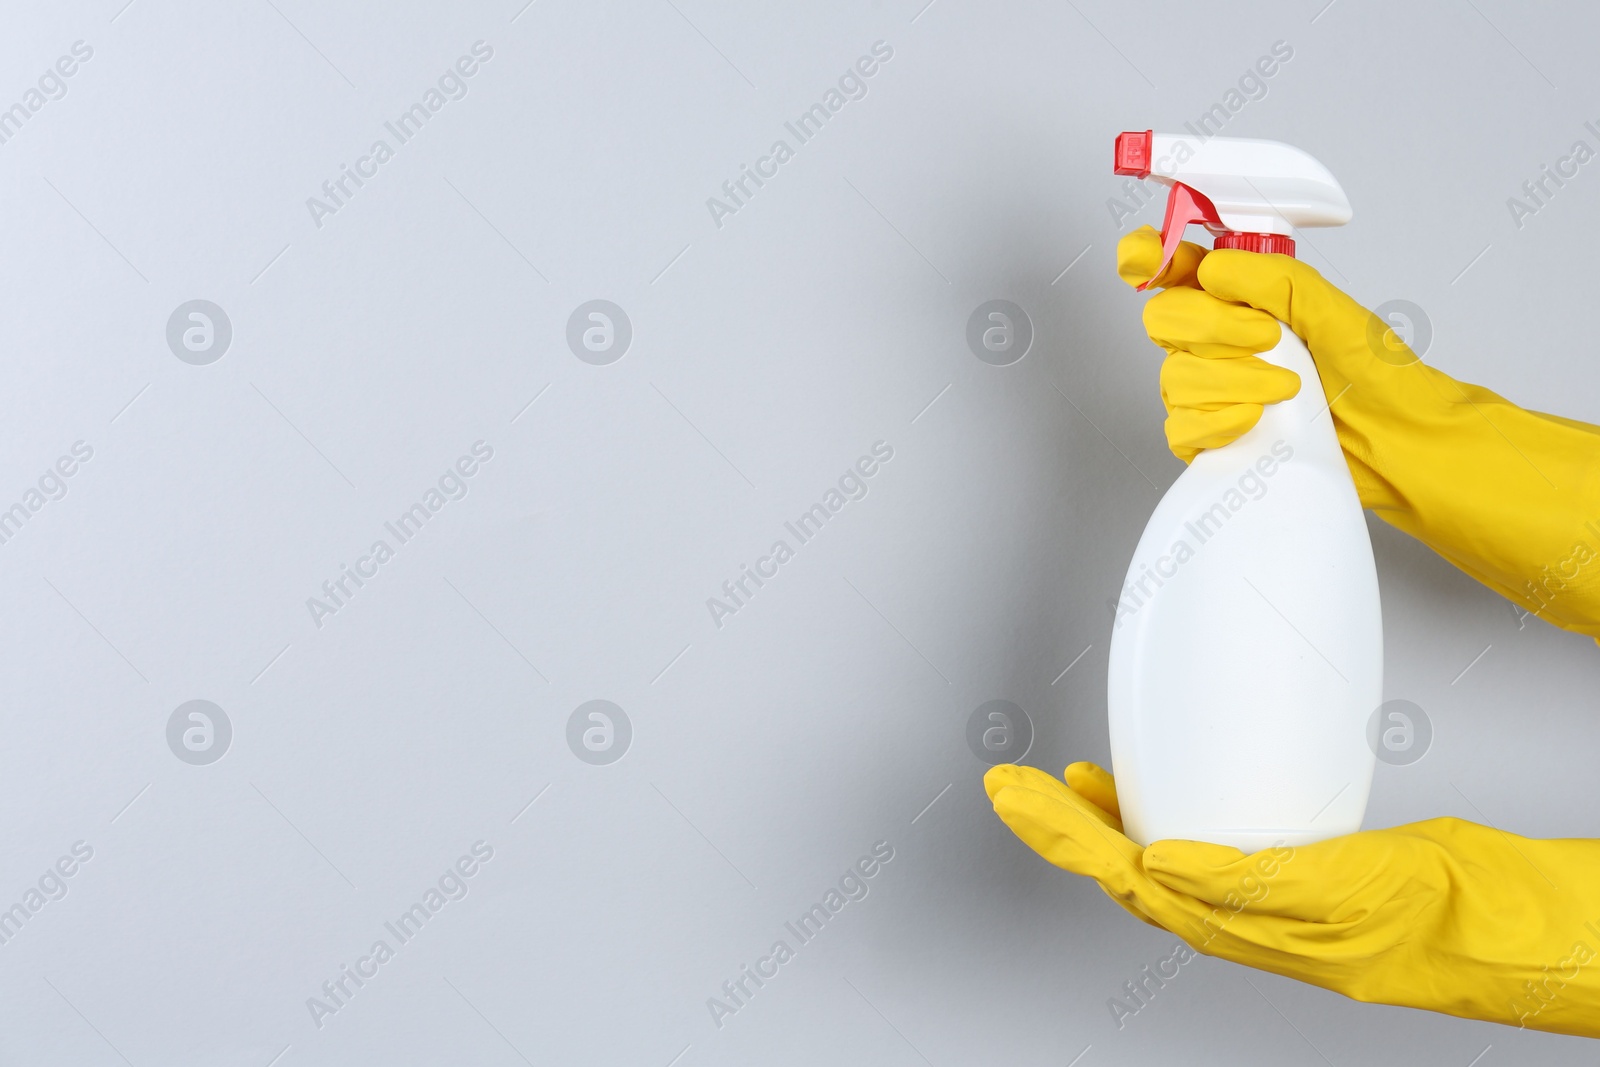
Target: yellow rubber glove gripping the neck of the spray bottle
pixel 1510 497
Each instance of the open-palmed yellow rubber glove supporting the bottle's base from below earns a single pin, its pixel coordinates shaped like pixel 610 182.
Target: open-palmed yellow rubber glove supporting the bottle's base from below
pixel 1444 916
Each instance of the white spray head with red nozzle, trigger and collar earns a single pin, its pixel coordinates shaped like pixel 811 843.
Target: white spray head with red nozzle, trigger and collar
pixel 1250 194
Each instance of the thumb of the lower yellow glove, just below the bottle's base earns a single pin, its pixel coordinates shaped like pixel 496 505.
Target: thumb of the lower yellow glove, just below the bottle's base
pixel 1329 882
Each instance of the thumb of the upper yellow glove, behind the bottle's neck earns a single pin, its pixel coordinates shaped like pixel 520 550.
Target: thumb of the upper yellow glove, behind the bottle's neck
pixel 1314 310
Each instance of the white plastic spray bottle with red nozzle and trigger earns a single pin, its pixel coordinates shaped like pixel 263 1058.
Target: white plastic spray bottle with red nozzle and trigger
pixel 1247 653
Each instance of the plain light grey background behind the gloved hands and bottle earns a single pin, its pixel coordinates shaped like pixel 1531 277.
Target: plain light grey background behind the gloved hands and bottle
pixel 767 356
